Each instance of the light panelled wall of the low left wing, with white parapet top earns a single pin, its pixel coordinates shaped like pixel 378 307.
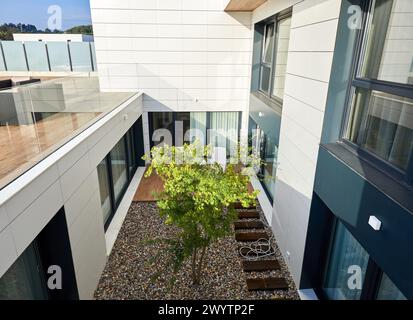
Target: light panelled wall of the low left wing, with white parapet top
pixel 66 178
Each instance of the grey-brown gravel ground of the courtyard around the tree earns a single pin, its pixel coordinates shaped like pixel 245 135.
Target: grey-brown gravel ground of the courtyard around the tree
pixel 129 270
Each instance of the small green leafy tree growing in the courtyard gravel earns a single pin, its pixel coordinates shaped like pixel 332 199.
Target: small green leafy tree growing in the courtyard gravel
pixel 198 198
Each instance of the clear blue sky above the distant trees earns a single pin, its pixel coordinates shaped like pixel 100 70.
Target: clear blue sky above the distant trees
pixel 74 12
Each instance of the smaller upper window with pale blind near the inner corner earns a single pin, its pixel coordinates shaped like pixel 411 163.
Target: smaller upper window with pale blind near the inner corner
pixel 274 54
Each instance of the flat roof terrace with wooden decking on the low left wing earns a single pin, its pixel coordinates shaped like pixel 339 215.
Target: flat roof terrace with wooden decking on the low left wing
pixel 37 119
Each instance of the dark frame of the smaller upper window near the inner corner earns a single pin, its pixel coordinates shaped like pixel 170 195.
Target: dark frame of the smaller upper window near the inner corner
pixel 285 14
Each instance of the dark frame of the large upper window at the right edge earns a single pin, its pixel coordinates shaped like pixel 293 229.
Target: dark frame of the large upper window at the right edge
pixel 359 82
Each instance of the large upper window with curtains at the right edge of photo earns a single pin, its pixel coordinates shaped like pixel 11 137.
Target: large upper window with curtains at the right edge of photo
pixel 380 121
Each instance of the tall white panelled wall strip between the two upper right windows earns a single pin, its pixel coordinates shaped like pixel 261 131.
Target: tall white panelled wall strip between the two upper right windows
pixel 310 54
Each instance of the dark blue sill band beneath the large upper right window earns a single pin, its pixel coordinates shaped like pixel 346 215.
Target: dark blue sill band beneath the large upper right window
pixel 396 190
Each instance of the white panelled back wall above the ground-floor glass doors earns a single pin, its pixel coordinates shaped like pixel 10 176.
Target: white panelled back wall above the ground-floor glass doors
pixel 186 55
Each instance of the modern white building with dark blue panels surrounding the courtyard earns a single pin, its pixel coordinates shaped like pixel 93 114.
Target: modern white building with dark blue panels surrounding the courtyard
pixel 321 88
